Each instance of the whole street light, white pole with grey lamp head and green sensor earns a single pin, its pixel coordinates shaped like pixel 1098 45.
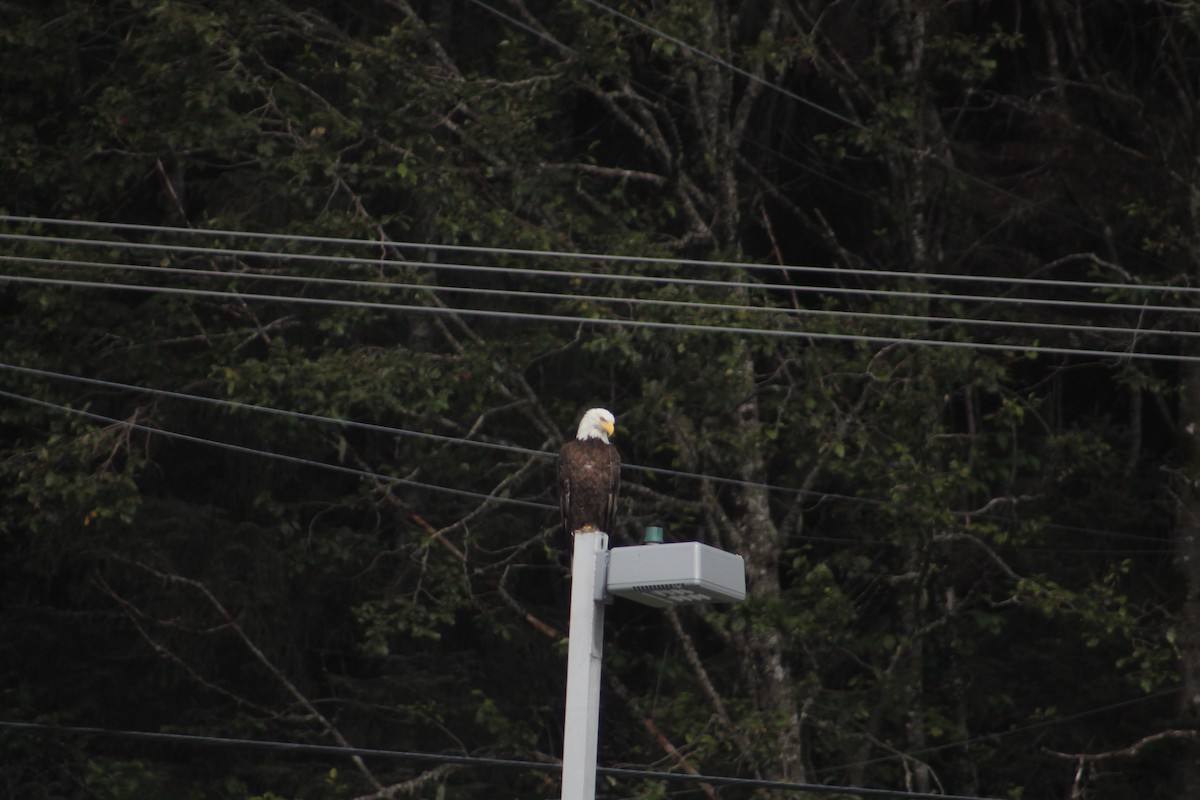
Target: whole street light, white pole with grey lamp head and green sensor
pixel 653 574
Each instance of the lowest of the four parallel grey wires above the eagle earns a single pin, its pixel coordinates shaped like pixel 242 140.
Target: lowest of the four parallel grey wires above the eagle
pixel 613 322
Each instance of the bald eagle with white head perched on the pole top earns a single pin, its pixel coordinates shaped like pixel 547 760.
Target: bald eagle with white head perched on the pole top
pixel 590 476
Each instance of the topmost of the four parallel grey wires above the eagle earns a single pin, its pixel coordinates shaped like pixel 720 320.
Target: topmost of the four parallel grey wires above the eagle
pixel 841 272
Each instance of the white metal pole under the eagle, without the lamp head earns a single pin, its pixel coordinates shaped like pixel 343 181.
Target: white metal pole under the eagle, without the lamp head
pixel 584 655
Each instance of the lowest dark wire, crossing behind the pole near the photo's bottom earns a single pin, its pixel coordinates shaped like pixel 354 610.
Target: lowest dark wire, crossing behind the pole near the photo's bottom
pixel 467 761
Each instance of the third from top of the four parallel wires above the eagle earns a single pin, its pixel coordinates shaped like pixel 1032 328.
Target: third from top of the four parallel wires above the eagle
pixel 358 284
